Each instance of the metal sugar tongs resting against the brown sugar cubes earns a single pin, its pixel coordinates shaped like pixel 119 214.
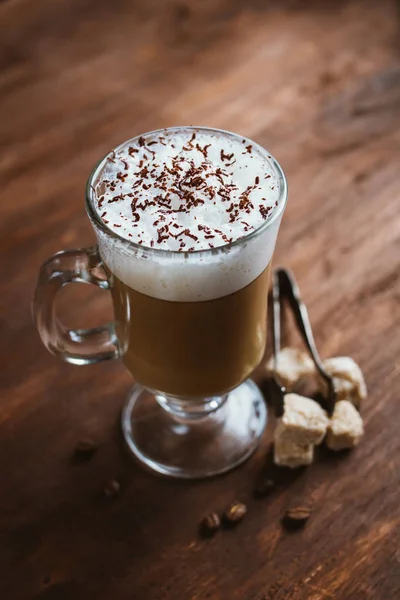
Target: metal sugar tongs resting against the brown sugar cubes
pixel 284 287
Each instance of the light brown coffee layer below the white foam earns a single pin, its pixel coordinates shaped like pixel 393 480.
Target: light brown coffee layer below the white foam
pixel 196 349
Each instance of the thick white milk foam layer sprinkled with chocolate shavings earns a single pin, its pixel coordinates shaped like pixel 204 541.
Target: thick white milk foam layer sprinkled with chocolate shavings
pixel 184 190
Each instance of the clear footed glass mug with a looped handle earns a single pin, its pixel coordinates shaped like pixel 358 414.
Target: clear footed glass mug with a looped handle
pixel 193 412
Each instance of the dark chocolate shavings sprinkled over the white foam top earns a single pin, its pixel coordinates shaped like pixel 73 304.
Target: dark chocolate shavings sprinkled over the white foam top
pixel 186 181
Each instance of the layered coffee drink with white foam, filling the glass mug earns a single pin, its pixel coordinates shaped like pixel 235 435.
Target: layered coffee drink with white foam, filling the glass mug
pixel 190 219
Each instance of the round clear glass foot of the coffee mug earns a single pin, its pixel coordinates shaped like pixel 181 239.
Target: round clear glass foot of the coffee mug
pixel 194 449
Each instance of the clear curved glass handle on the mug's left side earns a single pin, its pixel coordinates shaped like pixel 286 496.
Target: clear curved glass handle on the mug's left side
pixel 76 346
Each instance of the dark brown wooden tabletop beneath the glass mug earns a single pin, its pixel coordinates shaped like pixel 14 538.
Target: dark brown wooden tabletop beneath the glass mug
pixel 318 83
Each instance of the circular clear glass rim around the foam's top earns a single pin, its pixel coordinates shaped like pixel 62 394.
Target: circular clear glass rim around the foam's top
pixel 276 214
